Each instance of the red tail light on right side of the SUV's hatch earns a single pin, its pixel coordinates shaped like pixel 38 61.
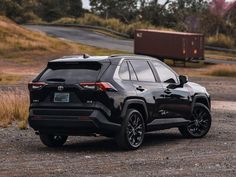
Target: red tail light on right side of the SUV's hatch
pixel 103 86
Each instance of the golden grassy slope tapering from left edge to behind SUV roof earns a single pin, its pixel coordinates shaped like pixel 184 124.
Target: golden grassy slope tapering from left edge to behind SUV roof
pixel 24 47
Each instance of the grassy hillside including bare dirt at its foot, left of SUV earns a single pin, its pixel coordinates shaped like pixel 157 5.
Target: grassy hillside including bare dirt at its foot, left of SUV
pixel 24 53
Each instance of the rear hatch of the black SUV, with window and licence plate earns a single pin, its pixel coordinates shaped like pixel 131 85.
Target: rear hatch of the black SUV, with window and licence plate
pixel 67 85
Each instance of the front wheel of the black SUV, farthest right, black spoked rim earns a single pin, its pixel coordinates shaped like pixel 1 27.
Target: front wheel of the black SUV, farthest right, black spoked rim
pixel 200 122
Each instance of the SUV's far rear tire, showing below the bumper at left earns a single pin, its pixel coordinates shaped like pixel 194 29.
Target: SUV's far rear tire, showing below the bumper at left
pixel 53 140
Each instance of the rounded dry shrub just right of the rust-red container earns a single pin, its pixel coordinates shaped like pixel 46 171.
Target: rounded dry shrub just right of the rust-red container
pixel 220 40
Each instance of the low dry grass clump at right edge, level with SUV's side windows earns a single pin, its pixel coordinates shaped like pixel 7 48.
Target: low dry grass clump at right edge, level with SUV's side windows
pixel 222 71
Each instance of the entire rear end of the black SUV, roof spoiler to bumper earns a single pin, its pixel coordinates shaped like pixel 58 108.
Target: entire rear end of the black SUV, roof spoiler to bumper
pixel 69 98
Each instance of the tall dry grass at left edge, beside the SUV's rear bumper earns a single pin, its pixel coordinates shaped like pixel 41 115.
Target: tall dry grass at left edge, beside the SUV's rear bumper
pixel 14 106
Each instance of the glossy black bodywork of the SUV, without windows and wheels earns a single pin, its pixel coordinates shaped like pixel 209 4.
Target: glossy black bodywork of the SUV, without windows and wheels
pixel 155 100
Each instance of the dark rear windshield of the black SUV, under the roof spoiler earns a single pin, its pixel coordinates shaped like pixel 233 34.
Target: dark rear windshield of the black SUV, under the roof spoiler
pixel 72 73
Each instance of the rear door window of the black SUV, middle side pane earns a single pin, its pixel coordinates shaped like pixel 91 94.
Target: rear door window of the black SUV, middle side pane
pixel 143 70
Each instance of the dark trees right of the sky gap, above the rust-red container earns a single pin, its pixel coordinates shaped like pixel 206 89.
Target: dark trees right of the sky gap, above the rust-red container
pixel 211 17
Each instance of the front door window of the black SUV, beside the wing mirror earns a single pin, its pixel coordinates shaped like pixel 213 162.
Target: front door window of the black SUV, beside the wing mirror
pixel 165 74
